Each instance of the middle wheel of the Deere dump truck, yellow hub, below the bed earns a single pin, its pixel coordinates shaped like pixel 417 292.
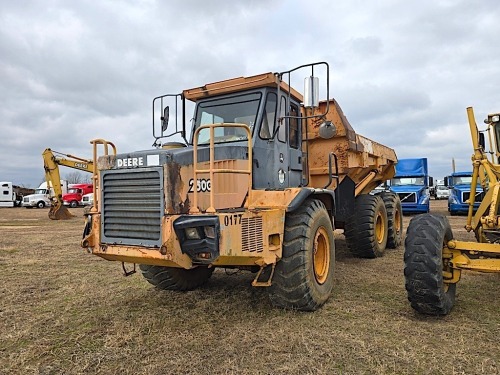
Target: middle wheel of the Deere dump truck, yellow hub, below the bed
pixel 366 230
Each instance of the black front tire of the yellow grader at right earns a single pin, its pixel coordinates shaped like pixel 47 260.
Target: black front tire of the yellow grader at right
pixel 426 237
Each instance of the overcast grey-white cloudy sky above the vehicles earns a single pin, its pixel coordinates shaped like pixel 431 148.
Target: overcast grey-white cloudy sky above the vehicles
pixel 403 72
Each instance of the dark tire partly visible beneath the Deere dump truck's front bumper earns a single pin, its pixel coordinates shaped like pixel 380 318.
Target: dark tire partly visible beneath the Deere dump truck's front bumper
pixel 178 279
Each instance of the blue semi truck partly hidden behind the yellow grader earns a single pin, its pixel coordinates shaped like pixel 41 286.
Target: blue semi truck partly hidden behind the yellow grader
pixel 459 184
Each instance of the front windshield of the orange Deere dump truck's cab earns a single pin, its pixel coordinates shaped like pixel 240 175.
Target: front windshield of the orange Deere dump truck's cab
pixel 239 109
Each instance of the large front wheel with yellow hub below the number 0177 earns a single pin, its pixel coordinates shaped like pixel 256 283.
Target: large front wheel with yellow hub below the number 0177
pixel 303 278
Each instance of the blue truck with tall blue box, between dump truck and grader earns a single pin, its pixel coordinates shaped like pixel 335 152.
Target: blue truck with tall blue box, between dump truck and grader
pixel 411 182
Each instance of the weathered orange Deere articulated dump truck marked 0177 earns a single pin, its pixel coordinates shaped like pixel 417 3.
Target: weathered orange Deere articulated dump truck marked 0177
pixel 260 183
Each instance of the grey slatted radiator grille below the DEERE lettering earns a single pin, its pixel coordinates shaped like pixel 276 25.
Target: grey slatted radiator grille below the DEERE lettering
pixel 132 207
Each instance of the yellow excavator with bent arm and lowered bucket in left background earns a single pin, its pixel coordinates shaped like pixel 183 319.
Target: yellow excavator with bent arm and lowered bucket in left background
pixel 51 162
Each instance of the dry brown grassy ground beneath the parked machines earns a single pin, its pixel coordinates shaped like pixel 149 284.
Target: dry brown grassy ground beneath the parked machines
pixel 63 311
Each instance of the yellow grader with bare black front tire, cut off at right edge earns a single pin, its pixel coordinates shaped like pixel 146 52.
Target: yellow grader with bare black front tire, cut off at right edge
pixel 434 258
